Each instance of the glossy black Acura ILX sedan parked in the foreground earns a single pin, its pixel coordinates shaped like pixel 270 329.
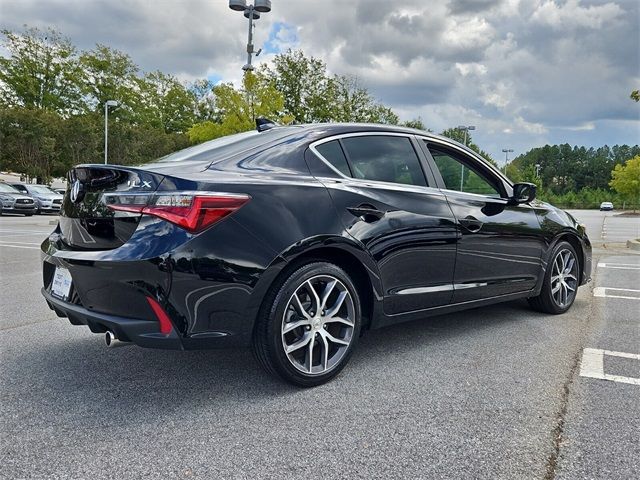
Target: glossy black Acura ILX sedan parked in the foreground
pixel 297 239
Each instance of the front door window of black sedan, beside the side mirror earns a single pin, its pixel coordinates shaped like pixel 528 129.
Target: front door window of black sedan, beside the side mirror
pixel 460 176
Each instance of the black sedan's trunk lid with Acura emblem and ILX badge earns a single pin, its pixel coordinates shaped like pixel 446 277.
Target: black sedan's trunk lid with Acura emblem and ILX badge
pixel 85 220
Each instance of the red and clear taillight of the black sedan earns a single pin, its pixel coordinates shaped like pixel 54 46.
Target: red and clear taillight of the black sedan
pixel 193 211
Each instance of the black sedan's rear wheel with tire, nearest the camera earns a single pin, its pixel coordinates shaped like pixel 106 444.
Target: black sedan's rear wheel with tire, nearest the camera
pixel 309 325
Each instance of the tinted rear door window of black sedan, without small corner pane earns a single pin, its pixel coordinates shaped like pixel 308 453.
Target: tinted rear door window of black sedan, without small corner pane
pixel 384 159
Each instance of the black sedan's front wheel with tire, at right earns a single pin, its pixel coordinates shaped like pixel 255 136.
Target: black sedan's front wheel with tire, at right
pixel 561 281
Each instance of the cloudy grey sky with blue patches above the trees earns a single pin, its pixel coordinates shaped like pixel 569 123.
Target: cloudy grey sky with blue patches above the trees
pixel 525 73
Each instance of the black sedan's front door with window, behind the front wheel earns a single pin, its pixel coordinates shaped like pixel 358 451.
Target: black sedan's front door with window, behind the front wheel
pixel 501 243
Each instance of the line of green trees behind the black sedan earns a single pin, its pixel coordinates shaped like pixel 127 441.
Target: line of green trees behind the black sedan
pixel 52 99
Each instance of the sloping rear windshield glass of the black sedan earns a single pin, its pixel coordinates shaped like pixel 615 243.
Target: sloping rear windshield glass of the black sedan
pixel 229 145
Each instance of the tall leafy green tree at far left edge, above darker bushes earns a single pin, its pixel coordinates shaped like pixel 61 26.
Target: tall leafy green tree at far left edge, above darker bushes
pixel 41 72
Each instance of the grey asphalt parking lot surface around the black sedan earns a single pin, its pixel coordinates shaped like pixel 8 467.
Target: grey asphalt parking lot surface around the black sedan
pixel 497 392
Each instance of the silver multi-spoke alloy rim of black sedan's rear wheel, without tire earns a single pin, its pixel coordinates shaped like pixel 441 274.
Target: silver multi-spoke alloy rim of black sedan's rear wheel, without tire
pixel 318 325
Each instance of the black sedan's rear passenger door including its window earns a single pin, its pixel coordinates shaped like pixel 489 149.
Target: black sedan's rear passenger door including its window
pixel 377 183
